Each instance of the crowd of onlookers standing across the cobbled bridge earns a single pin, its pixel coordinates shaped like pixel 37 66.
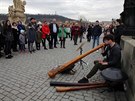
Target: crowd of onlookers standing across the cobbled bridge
pixel 14 36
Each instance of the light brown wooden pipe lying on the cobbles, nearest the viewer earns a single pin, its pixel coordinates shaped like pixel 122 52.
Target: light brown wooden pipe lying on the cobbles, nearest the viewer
pixel 65 89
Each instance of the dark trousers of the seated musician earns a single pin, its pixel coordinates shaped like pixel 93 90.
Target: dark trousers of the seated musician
pixel 96 67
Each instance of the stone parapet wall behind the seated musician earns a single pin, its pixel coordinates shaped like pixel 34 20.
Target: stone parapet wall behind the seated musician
pixel 128 64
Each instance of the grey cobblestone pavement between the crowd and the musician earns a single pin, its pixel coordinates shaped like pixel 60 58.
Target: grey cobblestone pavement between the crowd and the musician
pixel 24 78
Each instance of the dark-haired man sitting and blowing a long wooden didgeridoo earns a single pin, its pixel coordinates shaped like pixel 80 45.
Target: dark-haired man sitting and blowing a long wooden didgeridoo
pixel 112 52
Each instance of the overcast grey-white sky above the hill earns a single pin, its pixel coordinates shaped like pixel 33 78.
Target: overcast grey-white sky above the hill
pixel 102 10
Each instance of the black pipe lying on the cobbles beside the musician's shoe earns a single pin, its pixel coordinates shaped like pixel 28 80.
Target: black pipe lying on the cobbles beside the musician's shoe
pixel 54 83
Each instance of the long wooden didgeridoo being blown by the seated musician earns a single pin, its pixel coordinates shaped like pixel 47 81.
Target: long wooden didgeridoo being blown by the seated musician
pixel 52 73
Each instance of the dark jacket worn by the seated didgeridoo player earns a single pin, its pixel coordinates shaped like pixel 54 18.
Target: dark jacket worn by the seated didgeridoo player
pixel 113 56
